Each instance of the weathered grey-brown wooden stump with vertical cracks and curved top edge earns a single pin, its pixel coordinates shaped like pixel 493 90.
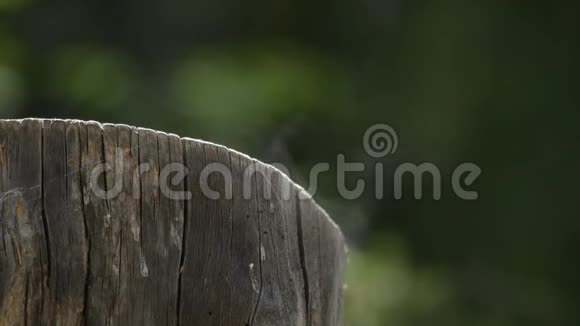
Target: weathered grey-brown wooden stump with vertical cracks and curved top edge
pixel 144 255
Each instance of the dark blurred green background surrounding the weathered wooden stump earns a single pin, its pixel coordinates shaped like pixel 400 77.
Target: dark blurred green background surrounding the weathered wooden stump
pixel 299 82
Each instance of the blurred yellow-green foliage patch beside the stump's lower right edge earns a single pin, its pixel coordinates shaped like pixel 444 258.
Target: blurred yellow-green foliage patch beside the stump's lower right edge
pixel 384 288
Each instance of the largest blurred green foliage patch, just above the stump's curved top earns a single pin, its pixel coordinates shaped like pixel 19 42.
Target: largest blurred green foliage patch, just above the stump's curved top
pixel 251 89
